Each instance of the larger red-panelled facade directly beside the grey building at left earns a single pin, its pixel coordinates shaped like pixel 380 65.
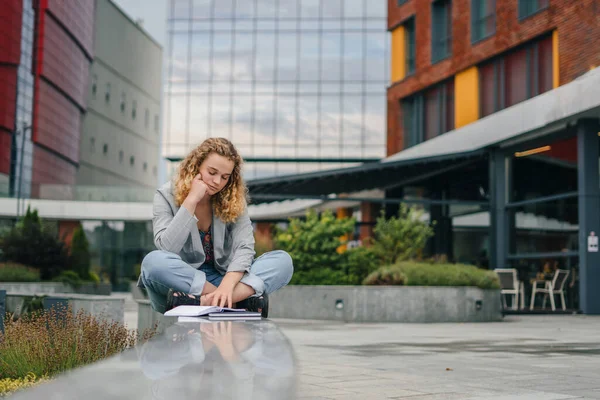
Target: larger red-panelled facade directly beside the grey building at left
pixel 64 39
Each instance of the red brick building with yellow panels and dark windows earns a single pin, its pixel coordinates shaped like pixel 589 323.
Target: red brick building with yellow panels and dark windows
pixel 456 61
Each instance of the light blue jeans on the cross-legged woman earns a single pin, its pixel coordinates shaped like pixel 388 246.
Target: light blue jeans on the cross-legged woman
pixel 162 271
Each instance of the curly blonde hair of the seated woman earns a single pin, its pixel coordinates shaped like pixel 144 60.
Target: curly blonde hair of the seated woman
pixel 229 203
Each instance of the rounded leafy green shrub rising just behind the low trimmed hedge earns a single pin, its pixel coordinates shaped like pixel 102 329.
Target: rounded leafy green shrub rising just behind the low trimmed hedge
pixel 401 238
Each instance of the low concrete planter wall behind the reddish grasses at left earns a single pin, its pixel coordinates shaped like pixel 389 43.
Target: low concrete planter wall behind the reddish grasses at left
pixel 104 307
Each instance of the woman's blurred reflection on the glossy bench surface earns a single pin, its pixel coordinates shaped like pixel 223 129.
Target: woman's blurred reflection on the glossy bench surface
pixel 220 359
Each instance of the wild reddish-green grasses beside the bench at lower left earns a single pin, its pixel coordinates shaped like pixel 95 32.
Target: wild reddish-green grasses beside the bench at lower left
pixel 53 341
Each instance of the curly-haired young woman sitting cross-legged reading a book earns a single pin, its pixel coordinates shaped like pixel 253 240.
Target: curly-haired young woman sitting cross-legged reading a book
pixel 205 239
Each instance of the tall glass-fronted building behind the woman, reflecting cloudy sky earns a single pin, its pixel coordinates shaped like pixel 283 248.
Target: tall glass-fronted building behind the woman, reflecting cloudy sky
pixel 297 85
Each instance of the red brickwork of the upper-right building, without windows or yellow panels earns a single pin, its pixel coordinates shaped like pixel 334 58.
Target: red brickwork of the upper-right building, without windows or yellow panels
pixel 575 21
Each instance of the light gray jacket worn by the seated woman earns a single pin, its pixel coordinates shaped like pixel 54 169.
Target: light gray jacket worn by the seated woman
pixel 176 231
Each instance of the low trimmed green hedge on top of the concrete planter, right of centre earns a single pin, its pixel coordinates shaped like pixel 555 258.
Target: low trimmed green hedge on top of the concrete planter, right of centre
pixel 411 273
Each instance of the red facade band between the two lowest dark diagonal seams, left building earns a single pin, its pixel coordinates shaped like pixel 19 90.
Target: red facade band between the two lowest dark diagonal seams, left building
pixel 59 122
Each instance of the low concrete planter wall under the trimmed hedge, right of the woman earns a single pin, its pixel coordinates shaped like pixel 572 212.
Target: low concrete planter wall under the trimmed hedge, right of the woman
pixel 387 303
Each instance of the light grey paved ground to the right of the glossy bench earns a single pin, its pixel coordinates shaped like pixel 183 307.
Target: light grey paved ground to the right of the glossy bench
pixel 533 357
